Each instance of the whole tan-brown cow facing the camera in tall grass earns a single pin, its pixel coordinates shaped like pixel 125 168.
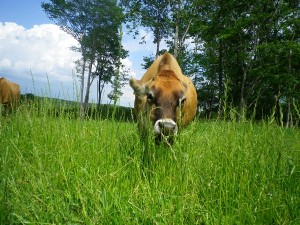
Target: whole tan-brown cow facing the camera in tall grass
pixel 165 99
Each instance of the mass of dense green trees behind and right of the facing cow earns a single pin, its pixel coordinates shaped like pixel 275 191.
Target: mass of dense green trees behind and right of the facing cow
pixel 252 47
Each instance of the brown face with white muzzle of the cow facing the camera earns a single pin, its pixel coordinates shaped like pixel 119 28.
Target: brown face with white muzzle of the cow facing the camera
pixel 162 99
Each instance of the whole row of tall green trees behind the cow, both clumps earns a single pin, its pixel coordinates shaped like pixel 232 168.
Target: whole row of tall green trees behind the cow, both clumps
pixel 242 56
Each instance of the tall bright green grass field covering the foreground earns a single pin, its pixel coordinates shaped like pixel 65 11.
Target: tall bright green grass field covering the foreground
pixel 61 170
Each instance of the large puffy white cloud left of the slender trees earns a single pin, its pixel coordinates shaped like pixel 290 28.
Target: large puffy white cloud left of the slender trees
pixel 43 49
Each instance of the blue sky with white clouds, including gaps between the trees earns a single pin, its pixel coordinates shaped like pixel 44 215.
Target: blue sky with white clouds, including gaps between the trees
pixel 35 53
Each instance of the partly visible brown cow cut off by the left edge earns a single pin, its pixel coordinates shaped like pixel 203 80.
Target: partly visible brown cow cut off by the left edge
pixel 9 92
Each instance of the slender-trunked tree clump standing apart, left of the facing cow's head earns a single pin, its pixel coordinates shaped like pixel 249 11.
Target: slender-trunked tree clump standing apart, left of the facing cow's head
pixel 94 24
